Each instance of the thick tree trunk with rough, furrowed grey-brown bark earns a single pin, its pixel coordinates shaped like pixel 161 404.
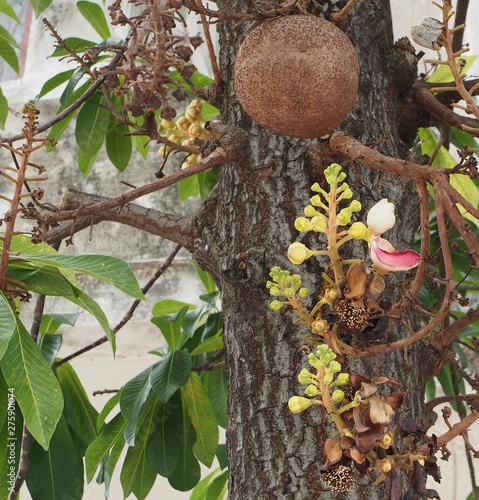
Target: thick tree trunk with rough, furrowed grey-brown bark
pixel 273 453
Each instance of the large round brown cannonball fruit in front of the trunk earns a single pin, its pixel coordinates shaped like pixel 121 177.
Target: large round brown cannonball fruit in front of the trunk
pixel 297 76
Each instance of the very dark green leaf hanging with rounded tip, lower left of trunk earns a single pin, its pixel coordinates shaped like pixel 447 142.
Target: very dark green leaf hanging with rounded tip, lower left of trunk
pixel 187 472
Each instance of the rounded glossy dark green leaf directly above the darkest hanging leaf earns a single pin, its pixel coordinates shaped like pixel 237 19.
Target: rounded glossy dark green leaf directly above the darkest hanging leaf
pixel 170 373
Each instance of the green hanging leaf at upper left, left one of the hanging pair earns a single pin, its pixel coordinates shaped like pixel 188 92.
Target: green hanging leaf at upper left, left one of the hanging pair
pixel 90 130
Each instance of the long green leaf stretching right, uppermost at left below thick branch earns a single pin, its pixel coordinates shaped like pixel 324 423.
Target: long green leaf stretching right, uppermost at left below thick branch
pixel 109 269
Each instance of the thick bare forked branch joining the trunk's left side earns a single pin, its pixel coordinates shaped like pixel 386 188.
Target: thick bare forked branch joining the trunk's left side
pixel 172 227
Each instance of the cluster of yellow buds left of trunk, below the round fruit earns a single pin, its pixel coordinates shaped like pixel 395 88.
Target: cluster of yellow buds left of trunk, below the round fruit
pixel 185 130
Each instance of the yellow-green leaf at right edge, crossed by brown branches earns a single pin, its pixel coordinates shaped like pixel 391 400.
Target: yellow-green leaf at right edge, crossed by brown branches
pixel 463 184
